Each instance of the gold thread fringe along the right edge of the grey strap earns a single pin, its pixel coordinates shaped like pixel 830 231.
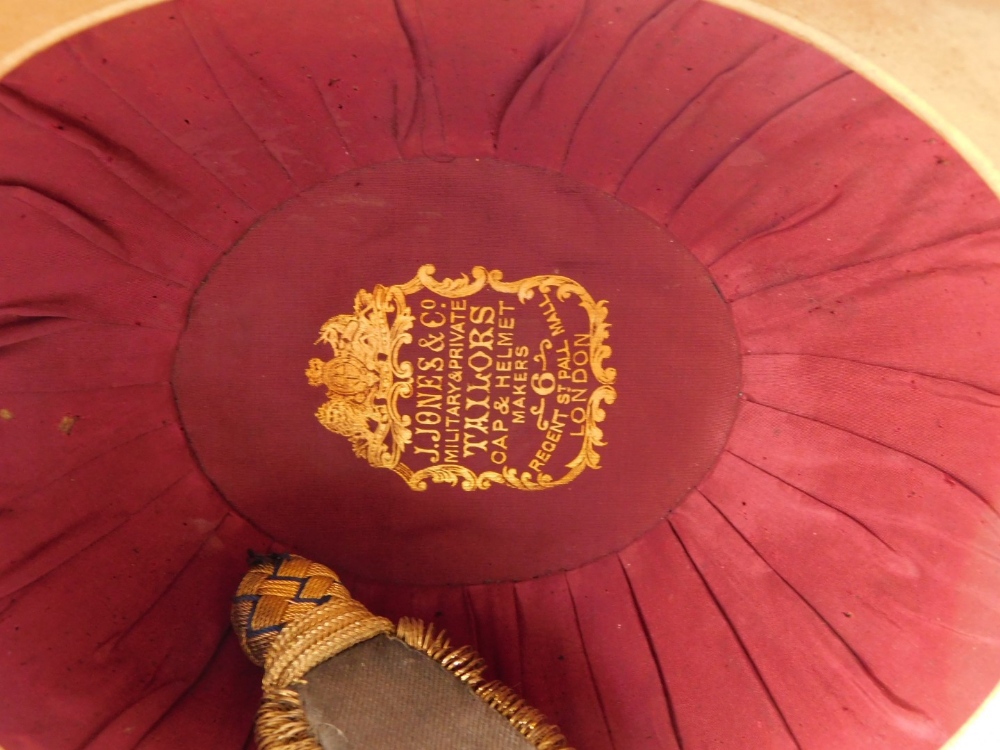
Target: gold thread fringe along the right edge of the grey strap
pixel 469 667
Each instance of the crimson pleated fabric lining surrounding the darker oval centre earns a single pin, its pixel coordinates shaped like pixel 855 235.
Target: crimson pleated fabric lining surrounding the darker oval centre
pixel 831 584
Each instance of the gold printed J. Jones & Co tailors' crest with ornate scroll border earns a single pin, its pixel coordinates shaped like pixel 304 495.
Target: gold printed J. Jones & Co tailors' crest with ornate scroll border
pixel 503 382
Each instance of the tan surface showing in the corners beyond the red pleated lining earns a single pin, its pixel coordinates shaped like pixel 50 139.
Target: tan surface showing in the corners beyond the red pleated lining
pixel 939 57
